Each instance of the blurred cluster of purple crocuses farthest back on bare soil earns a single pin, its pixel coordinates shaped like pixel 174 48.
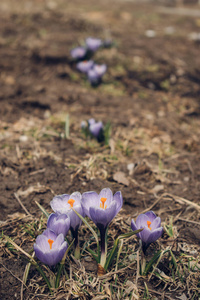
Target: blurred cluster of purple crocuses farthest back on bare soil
pixel 85 64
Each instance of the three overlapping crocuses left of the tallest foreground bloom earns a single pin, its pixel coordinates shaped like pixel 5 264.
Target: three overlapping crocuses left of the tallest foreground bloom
pixel 50 246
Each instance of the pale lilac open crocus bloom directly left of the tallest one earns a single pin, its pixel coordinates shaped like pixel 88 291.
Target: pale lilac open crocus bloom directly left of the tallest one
pixel 62 204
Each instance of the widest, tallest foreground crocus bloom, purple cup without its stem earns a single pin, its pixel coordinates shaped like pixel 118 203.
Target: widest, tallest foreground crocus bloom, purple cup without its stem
pixel 102 208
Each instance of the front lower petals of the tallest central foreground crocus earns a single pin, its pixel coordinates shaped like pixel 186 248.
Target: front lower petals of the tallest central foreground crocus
pixel 102 216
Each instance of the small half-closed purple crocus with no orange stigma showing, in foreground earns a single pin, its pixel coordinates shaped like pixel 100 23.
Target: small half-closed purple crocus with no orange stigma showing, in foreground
pixel 59 223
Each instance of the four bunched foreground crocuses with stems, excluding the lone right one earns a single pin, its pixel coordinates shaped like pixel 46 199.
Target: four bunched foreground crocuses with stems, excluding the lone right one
pixel 50 246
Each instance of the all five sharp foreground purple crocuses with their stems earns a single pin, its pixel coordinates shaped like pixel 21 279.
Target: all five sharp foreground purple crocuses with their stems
pixel 69 212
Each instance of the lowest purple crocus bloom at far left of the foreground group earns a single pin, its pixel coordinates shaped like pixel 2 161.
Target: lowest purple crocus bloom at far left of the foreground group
pixel 50 248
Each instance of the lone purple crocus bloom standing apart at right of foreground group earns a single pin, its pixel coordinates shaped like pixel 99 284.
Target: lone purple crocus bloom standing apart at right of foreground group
pixel 152 228
